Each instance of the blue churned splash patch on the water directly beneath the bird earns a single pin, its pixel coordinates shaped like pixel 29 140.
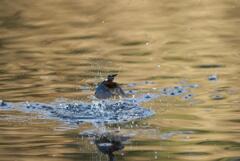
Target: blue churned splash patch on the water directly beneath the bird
pixel 79 112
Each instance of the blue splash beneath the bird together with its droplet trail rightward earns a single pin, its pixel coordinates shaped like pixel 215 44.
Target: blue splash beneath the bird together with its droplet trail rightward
pixel 99 111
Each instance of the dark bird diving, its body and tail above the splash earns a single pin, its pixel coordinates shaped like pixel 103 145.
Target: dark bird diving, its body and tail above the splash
pixel 108 88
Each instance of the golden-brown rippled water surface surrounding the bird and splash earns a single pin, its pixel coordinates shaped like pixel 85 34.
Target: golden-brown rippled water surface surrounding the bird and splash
pixel 55 49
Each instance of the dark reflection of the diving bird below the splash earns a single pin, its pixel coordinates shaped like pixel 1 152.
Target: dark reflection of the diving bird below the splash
pixel 108 143
